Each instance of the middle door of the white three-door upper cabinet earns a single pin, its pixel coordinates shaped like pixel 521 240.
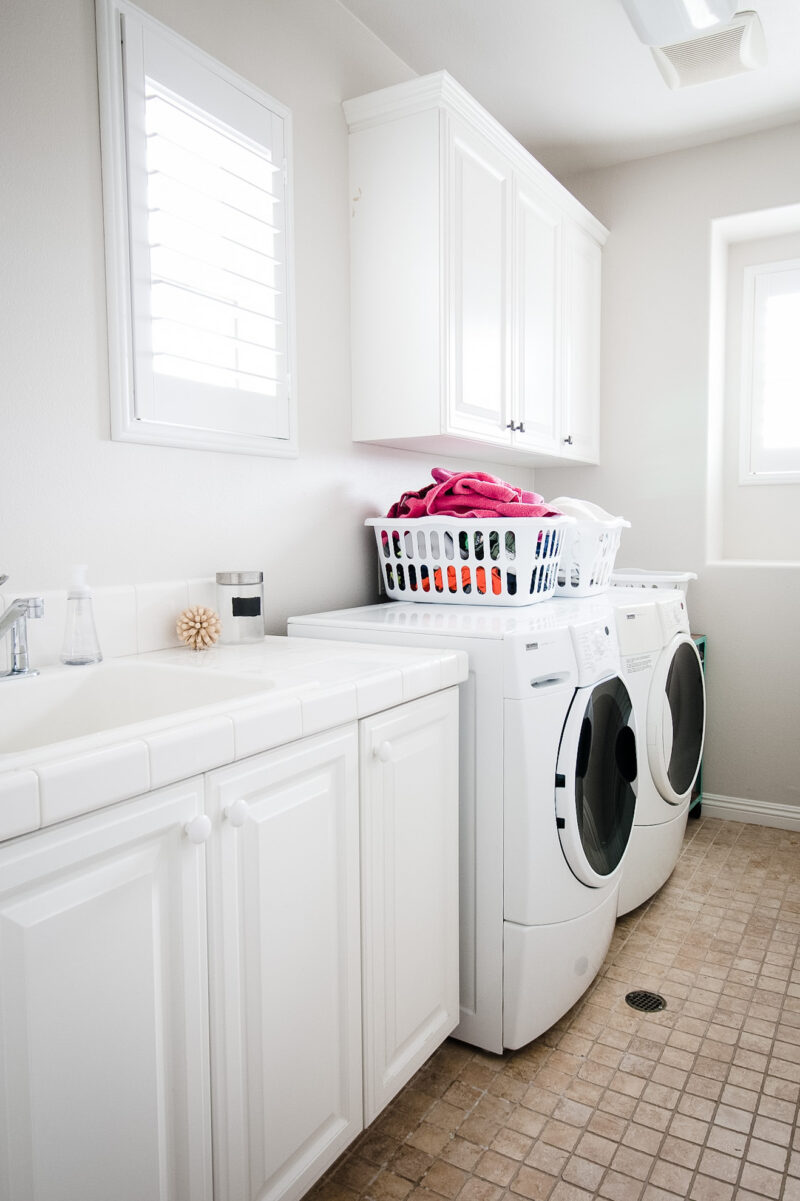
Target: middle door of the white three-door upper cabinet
pixel 538 380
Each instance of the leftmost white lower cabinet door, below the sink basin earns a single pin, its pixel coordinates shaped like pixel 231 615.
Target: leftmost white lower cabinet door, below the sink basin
pixel 104 1026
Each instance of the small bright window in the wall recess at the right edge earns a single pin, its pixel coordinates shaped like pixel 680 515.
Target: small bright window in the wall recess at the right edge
pixel 771 408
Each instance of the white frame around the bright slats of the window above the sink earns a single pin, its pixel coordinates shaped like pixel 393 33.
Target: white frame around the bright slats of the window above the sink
pixel 223 427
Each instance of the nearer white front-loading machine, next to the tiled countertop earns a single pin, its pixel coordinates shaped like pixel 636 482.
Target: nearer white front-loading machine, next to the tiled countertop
pixel 548 788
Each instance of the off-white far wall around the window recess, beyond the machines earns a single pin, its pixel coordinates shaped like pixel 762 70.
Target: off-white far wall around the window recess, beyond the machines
pixel 655 396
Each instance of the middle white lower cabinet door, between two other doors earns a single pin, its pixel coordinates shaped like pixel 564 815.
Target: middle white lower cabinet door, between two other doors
pixel 285 966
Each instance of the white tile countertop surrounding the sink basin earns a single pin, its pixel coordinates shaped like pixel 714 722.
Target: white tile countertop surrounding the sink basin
pixel 311 686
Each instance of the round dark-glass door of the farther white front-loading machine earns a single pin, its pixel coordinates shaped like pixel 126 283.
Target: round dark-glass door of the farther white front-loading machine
pixel 677 720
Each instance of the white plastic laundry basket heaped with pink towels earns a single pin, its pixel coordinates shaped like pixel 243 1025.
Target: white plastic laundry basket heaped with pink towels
pixel 504 561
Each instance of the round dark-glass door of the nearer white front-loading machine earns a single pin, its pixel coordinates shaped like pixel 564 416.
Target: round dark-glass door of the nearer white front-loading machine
pixel 595 781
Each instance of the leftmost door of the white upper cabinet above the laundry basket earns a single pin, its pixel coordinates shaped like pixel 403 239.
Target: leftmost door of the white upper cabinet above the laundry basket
pixel 477 219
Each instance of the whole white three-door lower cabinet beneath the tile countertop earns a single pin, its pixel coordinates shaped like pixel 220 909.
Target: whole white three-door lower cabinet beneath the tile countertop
pixel 208 991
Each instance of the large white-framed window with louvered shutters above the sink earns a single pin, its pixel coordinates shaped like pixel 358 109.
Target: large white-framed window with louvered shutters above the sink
pixel 199 244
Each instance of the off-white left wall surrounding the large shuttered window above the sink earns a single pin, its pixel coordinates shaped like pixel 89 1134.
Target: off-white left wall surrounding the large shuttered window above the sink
pixel 138 513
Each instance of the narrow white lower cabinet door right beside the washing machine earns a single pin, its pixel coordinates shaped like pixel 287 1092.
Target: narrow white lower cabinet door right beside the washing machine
pixel 410 835
